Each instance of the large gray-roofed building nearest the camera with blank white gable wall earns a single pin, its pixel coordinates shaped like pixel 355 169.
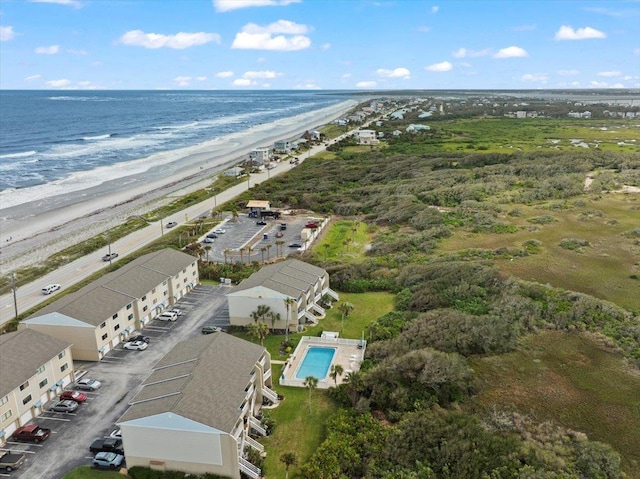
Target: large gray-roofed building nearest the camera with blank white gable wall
pixel 196 409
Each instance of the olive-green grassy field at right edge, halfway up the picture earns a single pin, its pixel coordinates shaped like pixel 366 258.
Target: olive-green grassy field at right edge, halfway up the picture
pixel 603 269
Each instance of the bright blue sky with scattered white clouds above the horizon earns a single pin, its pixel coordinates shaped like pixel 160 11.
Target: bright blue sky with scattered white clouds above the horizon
pixel 318 44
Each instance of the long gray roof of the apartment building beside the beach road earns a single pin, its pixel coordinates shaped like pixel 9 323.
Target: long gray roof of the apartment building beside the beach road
pixel 114 291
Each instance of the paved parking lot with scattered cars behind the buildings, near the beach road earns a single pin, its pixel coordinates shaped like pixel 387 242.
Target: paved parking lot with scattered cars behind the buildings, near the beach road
pixel 243 232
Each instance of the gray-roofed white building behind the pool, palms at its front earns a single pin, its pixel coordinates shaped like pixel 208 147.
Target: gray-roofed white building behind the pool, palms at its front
pixel 306 284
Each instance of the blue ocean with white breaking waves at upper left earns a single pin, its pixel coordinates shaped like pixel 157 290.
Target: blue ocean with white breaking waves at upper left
pixel 53 142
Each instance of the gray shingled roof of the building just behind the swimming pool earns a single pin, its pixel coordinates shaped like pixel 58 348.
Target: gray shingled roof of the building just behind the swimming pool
pixel 291 277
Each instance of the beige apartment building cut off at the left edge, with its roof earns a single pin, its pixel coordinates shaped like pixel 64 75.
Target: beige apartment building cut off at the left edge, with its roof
pixel 34 368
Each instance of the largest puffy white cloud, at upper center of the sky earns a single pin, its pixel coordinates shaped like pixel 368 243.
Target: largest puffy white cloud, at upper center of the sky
pixel 282 35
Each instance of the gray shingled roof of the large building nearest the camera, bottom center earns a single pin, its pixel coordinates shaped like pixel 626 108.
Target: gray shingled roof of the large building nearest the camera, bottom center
pixel 202 379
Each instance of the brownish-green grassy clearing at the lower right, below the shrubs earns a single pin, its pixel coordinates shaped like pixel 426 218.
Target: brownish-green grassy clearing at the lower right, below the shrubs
pixel 572 381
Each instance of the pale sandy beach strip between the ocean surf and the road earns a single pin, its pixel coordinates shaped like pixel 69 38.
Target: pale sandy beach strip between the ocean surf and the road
pixel 30 232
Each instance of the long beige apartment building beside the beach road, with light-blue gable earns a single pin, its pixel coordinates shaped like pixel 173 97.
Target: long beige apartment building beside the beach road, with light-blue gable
pixel 104 313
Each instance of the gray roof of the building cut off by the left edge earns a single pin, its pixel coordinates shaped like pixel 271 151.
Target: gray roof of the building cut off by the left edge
pixel 22 353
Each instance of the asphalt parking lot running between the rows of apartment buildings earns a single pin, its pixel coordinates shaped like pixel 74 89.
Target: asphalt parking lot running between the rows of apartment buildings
pixel 121 372
